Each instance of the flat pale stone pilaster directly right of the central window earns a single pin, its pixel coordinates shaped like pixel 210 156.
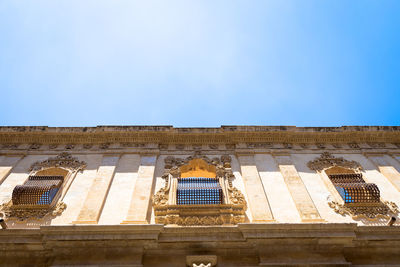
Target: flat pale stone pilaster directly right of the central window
pixel 258 202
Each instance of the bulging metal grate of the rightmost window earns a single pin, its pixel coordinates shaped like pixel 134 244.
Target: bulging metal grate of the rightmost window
pixel 353 189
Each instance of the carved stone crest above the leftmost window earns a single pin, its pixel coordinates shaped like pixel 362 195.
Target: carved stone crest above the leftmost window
pixel 63 160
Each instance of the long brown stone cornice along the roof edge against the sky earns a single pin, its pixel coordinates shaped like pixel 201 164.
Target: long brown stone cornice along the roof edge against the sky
pixel 223 135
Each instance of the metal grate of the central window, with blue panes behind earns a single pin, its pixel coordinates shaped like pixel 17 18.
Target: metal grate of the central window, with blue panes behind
pixel 198 191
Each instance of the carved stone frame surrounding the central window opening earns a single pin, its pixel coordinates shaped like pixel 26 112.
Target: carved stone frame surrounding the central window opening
pixel 232 211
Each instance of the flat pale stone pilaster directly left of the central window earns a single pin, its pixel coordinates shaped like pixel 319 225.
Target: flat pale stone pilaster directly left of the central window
pixel 141 197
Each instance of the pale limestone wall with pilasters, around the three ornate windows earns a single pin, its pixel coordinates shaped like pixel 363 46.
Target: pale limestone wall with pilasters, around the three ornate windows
pixel 118 183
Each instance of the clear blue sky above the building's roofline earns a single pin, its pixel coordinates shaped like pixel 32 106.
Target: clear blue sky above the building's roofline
pixel 200 63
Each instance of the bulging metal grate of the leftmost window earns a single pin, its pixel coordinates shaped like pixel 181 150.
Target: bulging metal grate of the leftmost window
pixel 37 190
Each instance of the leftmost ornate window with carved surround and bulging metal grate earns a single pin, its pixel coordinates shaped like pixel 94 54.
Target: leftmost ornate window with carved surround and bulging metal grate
pixel 42 193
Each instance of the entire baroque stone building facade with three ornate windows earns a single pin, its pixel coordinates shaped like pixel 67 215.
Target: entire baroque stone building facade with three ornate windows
pixel 228 196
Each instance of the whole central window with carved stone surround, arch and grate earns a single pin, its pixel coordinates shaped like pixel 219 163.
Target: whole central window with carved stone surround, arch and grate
pixel 199 191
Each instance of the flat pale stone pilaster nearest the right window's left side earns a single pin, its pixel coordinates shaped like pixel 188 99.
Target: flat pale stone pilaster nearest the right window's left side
pixel 301 198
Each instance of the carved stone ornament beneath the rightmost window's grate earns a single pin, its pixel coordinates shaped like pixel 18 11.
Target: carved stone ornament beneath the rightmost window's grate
pixel 369 212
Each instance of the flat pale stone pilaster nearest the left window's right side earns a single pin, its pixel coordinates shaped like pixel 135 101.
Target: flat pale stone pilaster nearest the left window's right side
pixel 93 205
